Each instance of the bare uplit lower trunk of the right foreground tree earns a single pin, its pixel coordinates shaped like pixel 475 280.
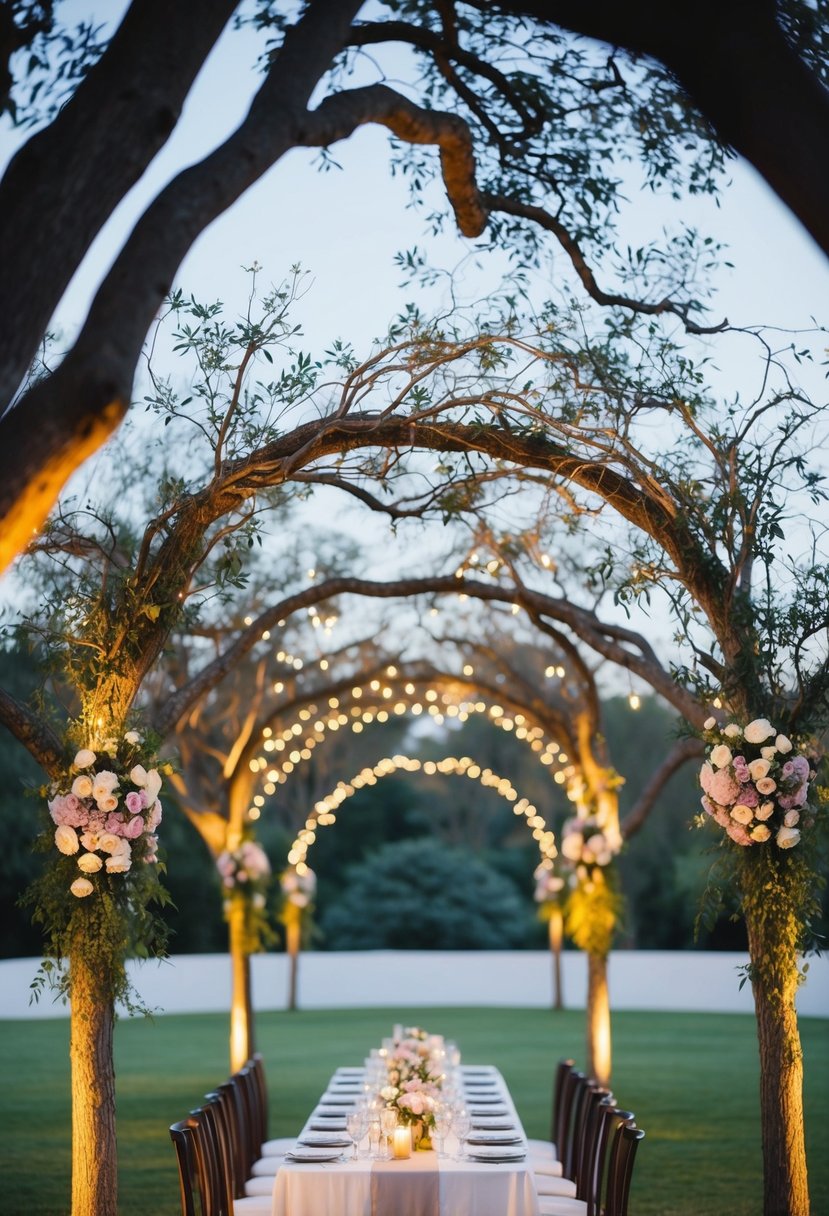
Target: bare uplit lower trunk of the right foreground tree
pixel 775 983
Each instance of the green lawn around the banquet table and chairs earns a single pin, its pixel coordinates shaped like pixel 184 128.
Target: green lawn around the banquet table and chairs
pixel 692 1080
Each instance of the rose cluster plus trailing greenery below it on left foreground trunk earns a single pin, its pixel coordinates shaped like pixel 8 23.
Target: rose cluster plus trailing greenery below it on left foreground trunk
pixel 100 891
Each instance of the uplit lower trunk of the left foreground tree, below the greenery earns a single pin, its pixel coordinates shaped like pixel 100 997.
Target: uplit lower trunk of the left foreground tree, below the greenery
pixel 94 1157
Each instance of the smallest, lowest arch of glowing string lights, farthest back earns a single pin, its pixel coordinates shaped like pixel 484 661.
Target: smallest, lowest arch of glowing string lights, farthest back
pixel 325 812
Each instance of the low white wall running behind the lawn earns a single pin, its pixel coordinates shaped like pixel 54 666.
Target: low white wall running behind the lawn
pixel 686 981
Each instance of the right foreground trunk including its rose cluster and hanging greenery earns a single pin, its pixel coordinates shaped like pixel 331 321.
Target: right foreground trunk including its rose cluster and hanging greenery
pixel 759 787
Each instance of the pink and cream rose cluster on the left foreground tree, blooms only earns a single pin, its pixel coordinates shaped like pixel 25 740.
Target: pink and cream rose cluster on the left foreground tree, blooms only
pixel 109 815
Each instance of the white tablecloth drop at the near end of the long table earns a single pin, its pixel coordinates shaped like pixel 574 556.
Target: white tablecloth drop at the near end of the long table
pixel 465 1189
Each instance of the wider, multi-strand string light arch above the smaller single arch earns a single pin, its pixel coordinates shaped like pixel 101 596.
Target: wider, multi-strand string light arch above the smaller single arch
pixel 284 752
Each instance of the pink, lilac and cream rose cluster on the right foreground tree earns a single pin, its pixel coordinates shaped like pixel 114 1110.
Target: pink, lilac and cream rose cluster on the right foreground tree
pixel 754 784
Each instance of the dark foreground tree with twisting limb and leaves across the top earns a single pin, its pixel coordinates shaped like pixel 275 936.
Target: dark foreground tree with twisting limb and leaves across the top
pixel 539 134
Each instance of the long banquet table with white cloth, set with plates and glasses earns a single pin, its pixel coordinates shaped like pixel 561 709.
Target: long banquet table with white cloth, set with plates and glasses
pixel 424 1185
